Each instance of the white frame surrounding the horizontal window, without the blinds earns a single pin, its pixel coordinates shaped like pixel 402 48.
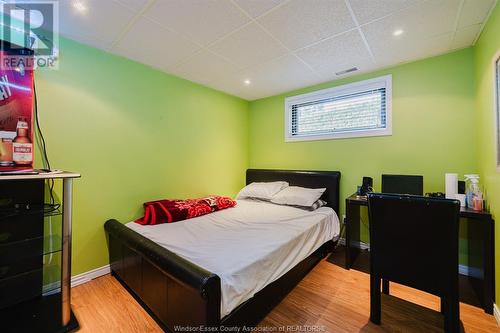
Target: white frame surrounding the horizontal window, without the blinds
pixel 379 82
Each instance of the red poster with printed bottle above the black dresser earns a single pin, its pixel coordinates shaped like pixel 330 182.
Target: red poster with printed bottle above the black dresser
pixel 16 118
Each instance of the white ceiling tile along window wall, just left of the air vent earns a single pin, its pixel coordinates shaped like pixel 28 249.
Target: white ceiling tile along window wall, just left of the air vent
pixel 280 75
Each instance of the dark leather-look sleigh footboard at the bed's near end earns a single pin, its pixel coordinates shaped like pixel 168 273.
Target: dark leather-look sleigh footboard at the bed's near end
pixel 154 274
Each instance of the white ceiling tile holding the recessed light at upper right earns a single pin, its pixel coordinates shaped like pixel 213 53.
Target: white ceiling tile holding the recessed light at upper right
pixel 428 29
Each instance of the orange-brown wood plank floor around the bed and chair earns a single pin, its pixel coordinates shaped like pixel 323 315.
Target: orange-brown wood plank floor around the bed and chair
pixel 329 299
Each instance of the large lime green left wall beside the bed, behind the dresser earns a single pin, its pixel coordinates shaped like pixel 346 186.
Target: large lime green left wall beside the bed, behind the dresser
pixel 135 134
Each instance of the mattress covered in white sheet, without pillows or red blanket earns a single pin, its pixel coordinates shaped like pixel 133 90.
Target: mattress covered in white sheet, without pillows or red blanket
pixel 248 246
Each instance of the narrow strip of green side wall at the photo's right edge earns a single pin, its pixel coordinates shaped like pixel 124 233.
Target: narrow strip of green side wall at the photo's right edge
pixel 485 50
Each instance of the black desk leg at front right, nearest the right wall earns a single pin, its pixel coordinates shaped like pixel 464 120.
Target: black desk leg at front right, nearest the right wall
pixel 489 266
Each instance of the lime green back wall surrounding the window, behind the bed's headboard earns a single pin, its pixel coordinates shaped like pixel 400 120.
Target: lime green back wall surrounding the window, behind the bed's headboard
pixel 433 131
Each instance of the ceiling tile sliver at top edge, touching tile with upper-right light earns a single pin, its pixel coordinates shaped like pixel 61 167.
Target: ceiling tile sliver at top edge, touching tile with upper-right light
pixel 369 10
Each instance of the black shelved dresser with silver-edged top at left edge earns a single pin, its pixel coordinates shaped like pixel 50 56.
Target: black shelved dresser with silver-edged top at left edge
pixel 35 254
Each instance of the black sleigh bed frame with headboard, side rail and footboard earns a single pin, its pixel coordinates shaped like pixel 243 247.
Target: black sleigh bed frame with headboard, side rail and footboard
pixel 179 294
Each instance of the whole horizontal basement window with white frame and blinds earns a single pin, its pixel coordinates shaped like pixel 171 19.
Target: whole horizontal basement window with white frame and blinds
pixel 354 110
